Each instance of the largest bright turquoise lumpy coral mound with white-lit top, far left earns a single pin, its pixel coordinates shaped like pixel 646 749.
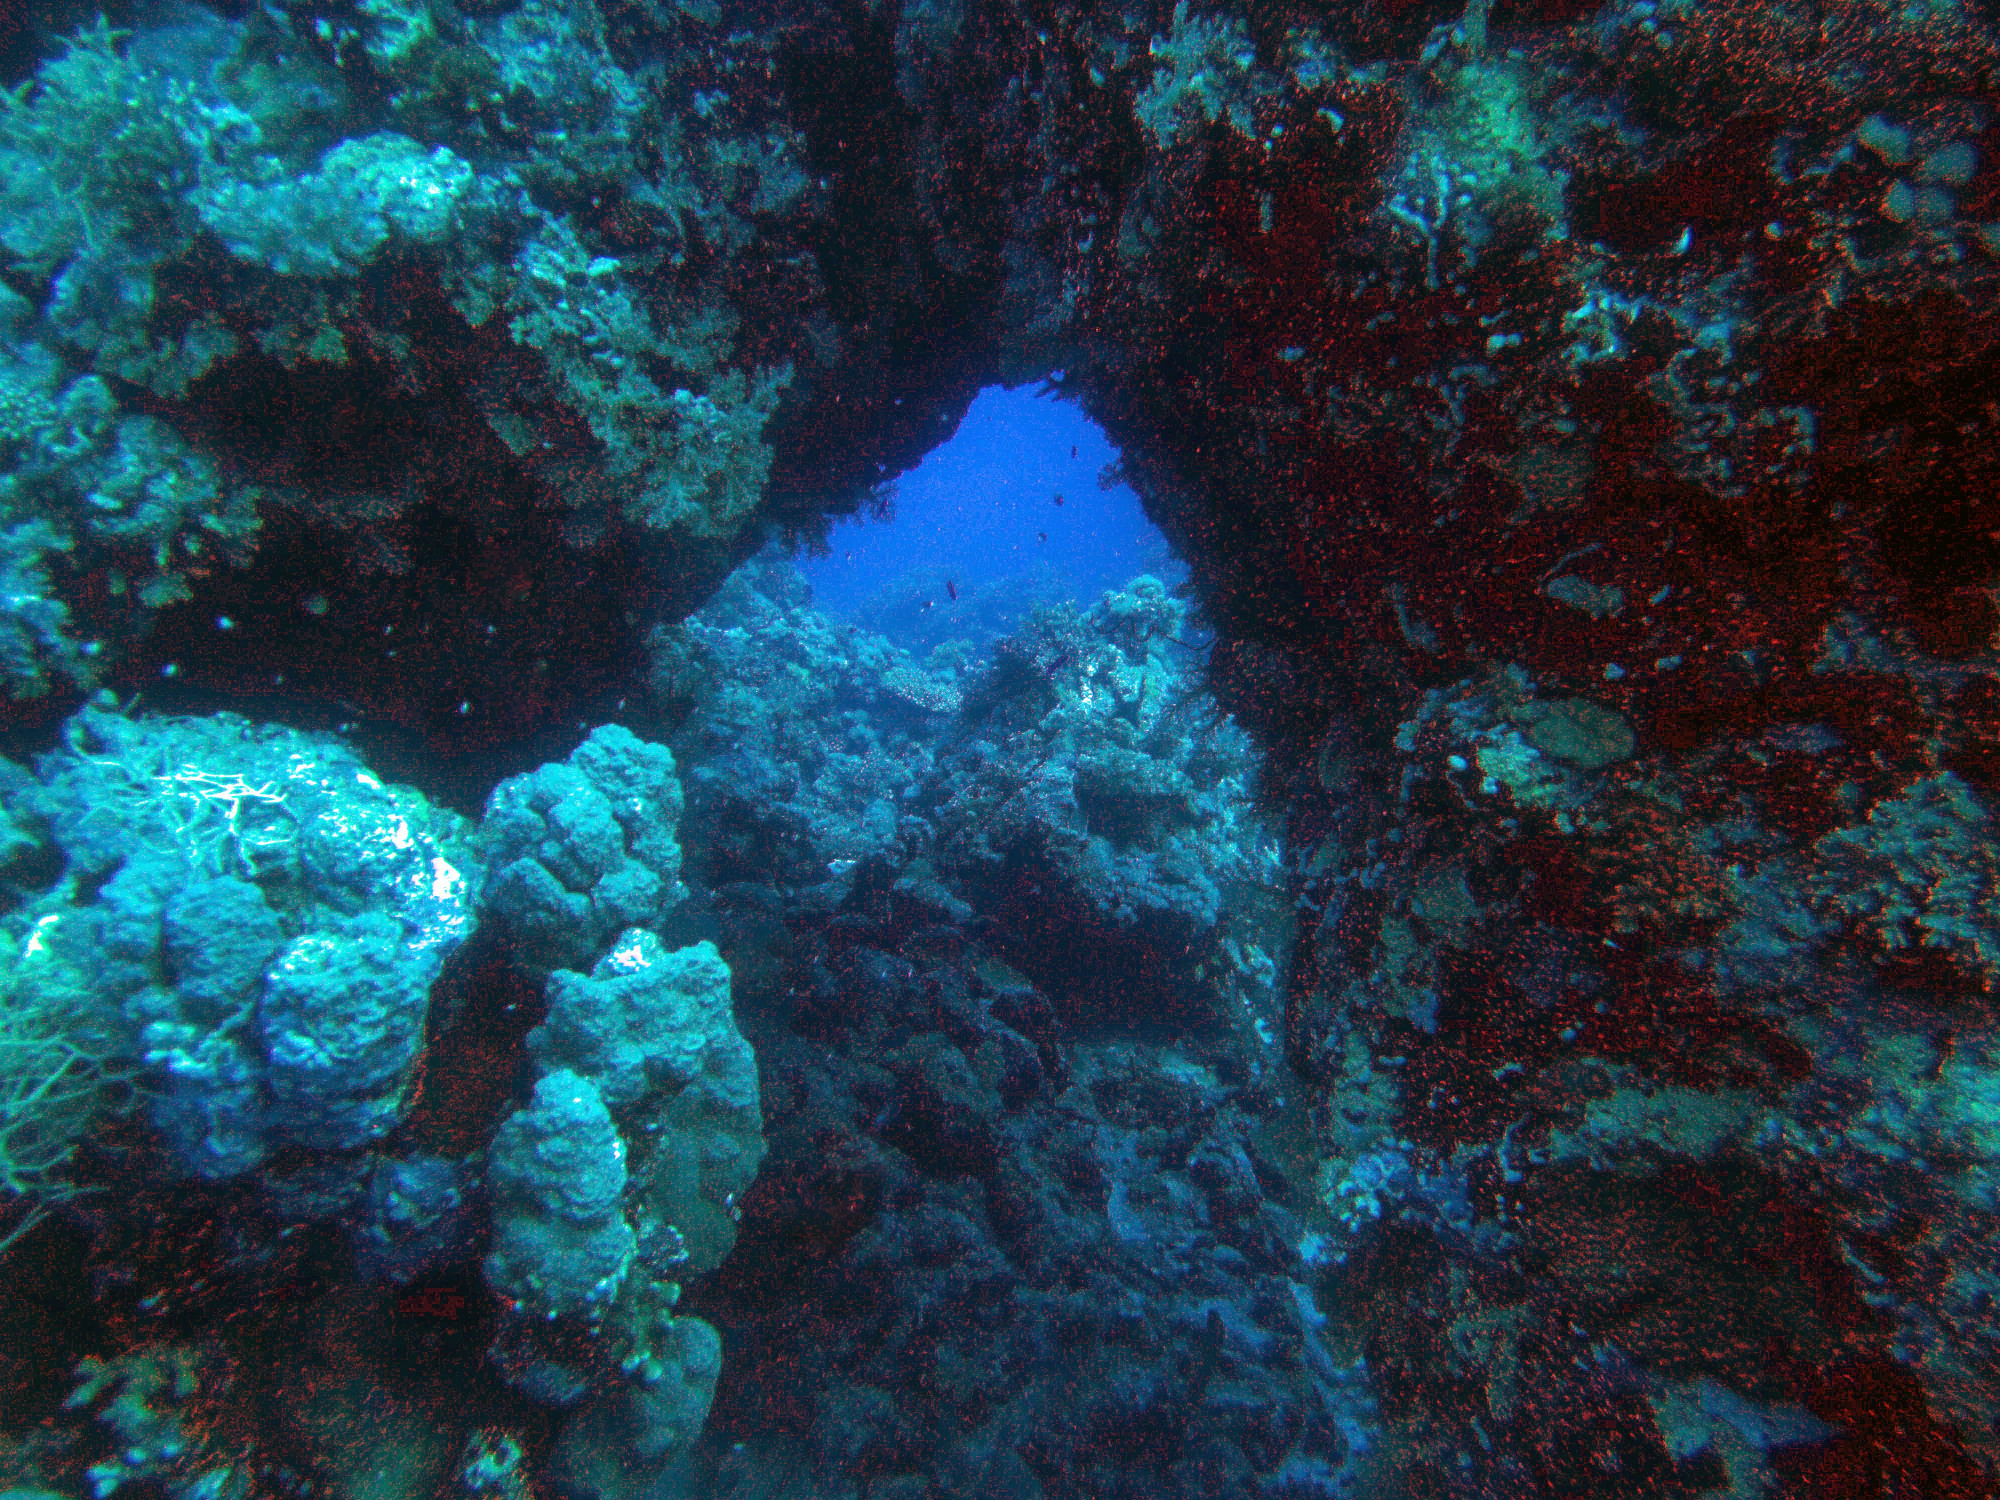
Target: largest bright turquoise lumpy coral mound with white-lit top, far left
pixel 263 915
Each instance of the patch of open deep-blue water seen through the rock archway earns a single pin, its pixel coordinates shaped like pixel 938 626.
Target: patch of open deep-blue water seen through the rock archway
pixel 981 517
